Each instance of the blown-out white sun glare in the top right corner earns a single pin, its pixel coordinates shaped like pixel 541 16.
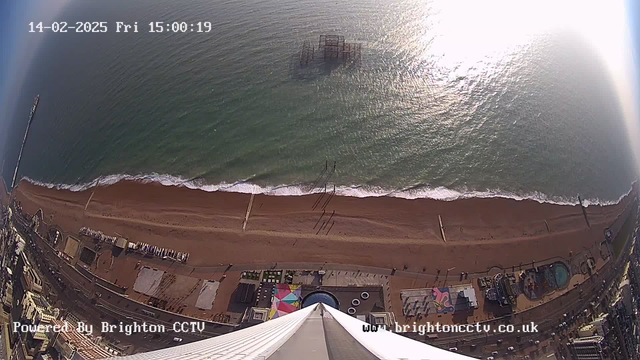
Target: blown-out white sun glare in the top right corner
pixel 474 34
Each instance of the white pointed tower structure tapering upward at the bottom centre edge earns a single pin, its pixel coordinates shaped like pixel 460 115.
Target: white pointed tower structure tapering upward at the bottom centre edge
pixel 317 332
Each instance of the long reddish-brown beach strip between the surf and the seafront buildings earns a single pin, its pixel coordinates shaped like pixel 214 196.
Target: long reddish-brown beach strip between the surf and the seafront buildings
pixel 384 231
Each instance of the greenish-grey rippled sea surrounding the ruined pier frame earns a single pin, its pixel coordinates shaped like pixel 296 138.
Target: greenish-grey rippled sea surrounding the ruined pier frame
pixel 445 102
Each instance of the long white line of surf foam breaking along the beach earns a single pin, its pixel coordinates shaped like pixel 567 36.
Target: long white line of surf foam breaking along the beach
pixel 418 192
